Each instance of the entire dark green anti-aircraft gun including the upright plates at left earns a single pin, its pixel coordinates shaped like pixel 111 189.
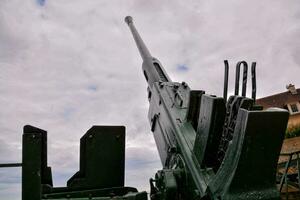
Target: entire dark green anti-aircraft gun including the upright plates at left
pixel 210 148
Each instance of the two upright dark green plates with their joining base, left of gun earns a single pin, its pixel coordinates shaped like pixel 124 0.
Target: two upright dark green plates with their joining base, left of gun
pixel 101 172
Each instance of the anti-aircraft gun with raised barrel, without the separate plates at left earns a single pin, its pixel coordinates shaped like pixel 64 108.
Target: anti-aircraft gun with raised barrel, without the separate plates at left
pixel 210 148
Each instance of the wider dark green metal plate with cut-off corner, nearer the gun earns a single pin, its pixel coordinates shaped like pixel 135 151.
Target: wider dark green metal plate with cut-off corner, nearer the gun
pixel 102 154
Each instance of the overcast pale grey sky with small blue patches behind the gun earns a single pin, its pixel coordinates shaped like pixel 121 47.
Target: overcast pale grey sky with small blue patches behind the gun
pixel 67 65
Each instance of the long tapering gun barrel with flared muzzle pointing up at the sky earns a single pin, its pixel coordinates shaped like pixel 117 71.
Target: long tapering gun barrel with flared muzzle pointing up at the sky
pixel 153 71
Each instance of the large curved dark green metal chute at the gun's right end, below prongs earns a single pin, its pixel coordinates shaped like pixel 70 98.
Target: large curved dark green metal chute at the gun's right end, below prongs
pixel 248 170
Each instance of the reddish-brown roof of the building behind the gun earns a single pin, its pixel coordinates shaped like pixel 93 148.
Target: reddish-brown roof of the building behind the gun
pixel 279 100
